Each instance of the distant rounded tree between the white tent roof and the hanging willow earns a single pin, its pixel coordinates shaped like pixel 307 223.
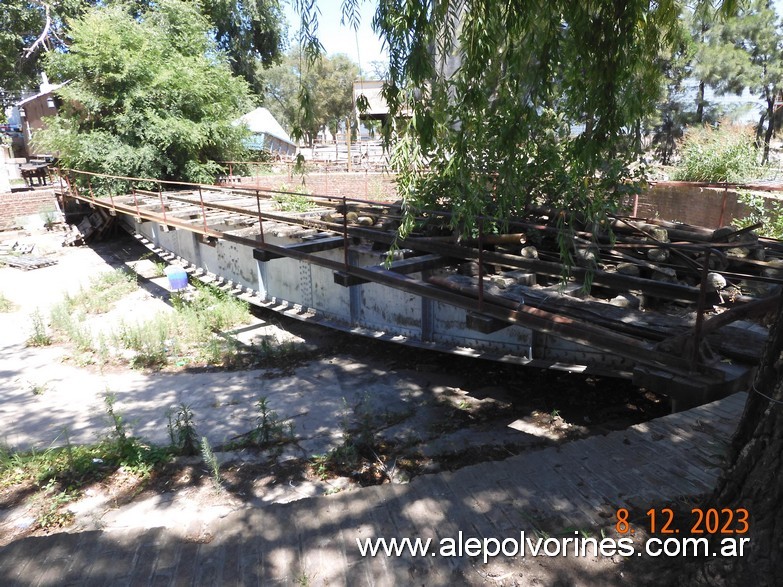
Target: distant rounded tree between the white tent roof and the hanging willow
pixel 328 84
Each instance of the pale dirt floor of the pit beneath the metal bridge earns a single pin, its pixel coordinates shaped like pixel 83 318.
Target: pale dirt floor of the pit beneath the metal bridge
pixel 416 412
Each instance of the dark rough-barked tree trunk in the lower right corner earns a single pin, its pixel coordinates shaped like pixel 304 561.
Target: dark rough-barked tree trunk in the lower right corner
pixel 753 478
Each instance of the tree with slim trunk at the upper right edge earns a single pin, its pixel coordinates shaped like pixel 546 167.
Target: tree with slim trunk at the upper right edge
pixel 746 52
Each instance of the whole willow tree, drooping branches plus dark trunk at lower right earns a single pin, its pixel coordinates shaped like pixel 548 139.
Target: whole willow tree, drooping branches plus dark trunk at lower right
pixel 486 95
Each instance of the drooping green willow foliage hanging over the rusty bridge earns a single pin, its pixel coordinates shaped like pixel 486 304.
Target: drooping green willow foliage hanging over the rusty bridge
pixel 494 112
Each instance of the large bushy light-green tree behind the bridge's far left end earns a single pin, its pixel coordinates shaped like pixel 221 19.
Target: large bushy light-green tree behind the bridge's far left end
pixel 150 95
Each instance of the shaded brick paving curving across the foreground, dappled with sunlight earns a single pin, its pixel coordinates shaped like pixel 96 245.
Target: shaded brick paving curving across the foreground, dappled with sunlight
pixel 553 491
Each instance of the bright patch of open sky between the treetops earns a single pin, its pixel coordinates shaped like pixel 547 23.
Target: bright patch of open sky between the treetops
pixel 342 39
